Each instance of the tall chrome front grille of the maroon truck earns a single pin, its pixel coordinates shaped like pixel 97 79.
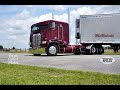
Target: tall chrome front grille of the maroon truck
pixel 36 40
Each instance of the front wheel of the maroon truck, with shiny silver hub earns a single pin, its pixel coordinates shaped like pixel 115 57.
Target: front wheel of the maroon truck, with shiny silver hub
pixel 52 50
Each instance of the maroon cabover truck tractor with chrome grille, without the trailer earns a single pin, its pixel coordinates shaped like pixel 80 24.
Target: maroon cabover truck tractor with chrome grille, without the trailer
pixel 51 37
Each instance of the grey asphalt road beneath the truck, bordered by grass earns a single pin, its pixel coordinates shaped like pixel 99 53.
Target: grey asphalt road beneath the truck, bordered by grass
pixel 68 61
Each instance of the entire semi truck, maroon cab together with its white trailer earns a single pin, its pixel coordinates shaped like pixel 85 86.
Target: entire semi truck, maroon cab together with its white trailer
pixel 91 32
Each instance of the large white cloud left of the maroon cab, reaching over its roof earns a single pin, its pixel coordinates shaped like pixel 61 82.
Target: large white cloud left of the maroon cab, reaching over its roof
pixel 17 28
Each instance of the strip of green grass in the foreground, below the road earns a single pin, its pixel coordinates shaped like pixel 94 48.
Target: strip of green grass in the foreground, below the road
pixel 11 74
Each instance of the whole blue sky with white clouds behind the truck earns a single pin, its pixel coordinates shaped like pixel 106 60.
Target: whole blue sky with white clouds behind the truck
pixel 16 20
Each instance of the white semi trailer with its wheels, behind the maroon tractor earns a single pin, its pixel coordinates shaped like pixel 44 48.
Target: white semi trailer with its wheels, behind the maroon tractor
pixel 93 31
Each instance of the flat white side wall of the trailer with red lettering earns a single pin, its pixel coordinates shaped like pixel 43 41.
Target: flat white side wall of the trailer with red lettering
pixel 104 28
